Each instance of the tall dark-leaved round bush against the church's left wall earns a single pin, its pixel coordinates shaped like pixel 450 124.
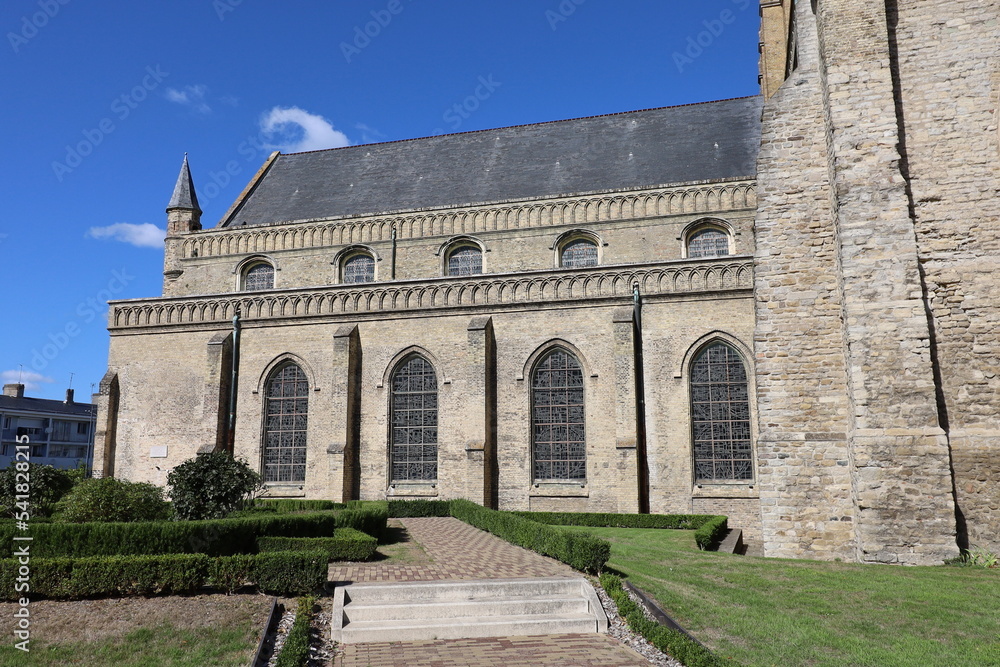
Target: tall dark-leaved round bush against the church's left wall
pixel 211 485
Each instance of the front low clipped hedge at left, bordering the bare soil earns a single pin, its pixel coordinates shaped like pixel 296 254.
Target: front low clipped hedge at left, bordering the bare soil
pixel 280 573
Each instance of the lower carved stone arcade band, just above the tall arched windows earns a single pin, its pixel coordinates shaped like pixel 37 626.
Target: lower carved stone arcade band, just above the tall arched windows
pixel 491 291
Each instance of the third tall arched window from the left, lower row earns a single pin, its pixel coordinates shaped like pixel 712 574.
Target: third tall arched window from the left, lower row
pixel 559 450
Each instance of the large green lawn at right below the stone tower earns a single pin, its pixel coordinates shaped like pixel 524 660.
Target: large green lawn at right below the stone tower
pixel 762 611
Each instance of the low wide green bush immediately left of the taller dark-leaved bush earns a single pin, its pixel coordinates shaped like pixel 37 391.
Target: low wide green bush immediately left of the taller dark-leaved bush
pixel 110 499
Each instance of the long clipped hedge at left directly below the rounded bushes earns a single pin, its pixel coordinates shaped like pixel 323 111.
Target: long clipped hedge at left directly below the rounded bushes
pixel 218 537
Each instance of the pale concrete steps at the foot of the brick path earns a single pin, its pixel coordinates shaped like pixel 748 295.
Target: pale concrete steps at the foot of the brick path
pixel 460 609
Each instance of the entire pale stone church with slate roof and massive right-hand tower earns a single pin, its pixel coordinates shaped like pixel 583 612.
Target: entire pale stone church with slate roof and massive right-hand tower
pixel 780 308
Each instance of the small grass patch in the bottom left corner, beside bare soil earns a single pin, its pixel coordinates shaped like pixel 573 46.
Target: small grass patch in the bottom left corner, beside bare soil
pixel 145 647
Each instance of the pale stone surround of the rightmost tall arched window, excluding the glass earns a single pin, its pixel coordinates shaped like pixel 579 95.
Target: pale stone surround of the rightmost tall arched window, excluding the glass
pixel 683 373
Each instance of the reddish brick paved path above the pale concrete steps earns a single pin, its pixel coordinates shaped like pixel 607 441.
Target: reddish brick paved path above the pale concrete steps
pixel 458 551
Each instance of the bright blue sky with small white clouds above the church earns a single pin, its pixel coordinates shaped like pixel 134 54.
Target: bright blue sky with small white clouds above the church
pixel 101 101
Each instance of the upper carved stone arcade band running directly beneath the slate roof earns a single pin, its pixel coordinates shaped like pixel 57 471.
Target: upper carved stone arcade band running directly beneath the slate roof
pixel 702 198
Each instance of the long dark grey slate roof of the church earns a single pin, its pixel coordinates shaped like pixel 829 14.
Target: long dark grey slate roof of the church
pixel 697 142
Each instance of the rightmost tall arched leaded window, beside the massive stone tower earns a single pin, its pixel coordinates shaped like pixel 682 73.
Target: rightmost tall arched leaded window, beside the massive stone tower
pixel 720 415
